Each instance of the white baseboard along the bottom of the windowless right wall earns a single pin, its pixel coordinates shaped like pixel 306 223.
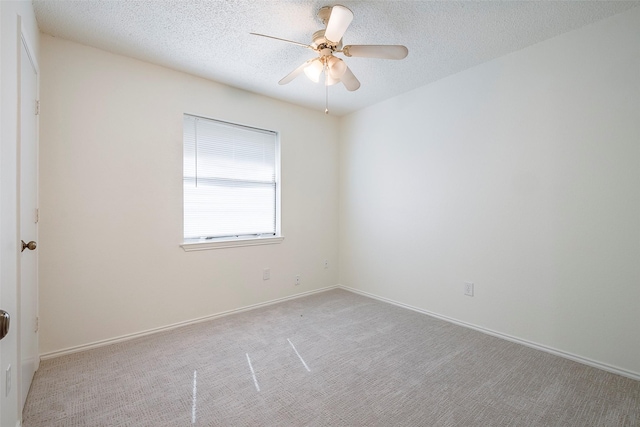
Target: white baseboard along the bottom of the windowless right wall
pixel 566 355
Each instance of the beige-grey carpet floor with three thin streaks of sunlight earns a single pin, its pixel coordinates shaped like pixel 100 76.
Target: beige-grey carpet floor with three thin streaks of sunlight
pixel 330 359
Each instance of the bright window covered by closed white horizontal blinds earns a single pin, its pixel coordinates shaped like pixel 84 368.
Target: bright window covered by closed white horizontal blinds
pixel 231 185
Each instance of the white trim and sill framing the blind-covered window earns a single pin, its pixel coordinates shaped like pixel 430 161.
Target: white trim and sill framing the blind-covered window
pixel 239 241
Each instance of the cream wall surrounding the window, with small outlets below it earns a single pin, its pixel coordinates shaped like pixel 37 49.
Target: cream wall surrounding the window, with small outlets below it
pixel 111 199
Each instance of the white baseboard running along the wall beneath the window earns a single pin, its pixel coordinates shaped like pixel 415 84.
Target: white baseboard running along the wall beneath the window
pixel 84 347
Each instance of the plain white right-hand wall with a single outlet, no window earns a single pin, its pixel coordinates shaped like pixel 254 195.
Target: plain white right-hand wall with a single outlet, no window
pixel 521 175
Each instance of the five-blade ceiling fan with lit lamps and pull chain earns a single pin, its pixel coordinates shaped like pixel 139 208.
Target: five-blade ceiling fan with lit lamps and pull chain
pixel 327 42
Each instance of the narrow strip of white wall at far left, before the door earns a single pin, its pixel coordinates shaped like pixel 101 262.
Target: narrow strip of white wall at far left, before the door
pixel 11 14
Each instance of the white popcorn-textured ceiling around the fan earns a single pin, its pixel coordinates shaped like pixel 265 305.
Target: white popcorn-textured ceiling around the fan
pixel 211 38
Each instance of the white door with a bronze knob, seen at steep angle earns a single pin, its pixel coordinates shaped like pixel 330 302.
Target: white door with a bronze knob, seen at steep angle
pixel 28 193
